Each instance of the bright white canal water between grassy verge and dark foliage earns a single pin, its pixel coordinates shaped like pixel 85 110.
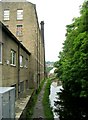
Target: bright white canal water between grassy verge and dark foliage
pixel 54 88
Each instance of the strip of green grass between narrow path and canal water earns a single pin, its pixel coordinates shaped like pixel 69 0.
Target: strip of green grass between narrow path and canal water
pixel 46 102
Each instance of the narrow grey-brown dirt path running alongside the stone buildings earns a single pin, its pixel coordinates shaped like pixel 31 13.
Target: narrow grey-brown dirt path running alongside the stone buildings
pixel 38 109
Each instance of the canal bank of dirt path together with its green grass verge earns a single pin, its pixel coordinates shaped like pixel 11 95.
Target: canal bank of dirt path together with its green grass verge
pixel 42 109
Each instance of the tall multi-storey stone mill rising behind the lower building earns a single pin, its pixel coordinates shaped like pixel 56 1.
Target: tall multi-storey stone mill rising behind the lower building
pixel 21 19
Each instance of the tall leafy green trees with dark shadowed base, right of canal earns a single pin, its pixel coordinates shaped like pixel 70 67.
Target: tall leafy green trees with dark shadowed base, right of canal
pixel 72 69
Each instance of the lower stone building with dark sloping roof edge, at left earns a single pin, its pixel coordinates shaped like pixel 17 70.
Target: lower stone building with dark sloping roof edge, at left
pixel 14 63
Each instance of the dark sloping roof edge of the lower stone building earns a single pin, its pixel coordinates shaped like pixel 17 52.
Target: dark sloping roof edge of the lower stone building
pixel 4 28
